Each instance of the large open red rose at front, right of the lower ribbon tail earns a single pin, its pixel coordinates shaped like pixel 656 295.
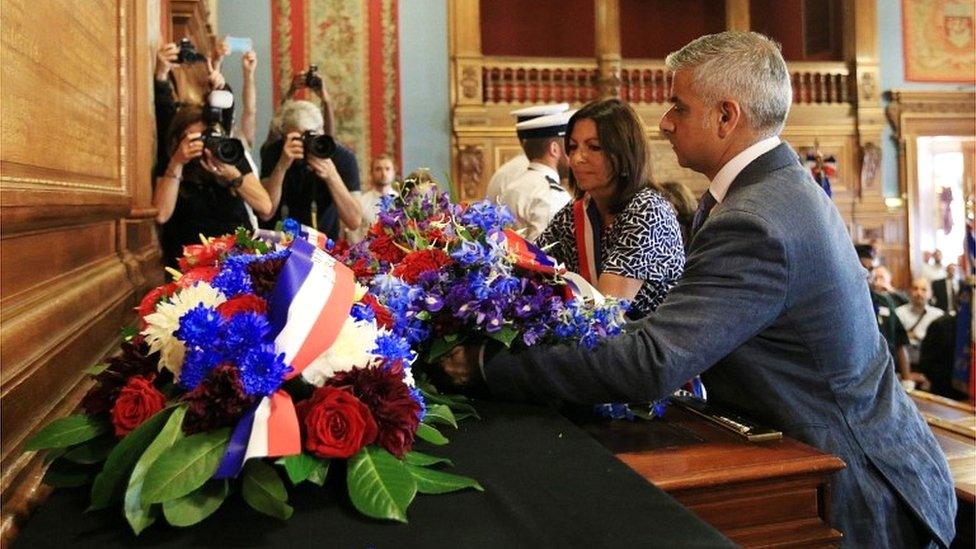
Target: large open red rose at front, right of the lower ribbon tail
pixel 336 423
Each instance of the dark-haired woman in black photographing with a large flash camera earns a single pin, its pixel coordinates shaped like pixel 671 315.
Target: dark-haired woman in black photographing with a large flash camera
pixel 197 194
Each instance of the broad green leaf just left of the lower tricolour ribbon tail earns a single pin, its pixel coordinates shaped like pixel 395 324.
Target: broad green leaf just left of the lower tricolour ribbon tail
pixel 185 467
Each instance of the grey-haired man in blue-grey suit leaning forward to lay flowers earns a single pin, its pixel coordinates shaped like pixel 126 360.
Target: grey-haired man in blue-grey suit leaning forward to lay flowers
pixel 773 309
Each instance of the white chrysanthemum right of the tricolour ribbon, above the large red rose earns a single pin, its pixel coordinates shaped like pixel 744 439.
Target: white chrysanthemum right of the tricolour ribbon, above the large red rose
pixel 351 348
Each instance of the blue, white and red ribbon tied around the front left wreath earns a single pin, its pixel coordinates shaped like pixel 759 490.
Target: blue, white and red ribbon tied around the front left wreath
pixel 307 308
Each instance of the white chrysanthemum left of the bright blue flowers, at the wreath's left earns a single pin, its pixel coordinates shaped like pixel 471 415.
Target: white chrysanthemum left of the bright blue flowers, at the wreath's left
pixel 166 320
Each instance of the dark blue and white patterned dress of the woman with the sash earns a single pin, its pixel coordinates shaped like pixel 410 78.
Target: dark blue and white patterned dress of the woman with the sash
pixel 644 243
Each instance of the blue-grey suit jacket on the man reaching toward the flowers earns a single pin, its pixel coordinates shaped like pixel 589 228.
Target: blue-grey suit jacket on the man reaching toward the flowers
pixel 774 307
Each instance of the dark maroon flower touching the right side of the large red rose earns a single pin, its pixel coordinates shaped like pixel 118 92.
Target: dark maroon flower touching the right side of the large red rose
pixel 389 399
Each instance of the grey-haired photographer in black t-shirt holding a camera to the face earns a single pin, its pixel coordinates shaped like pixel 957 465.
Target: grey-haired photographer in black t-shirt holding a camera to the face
pixel 298 180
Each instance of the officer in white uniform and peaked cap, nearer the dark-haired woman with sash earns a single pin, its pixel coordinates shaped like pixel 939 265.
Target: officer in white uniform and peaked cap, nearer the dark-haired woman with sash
pixel 535 196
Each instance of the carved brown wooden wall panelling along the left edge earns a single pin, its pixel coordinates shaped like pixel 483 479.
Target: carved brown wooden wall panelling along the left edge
pixel 76 224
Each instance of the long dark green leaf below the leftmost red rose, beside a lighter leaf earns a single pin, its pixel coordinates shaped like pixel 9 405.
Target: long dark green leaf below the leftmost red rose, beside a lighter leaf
pixel 110 484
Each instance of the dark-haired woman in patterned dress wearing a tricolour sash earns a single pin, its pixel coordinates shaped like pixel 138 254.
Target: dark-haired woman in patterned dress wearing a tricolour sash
pixel 619 233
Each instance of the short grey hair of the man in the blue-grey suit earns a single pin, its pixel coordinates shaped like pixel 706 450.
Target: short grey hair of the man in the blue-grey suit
pixel 743 66
